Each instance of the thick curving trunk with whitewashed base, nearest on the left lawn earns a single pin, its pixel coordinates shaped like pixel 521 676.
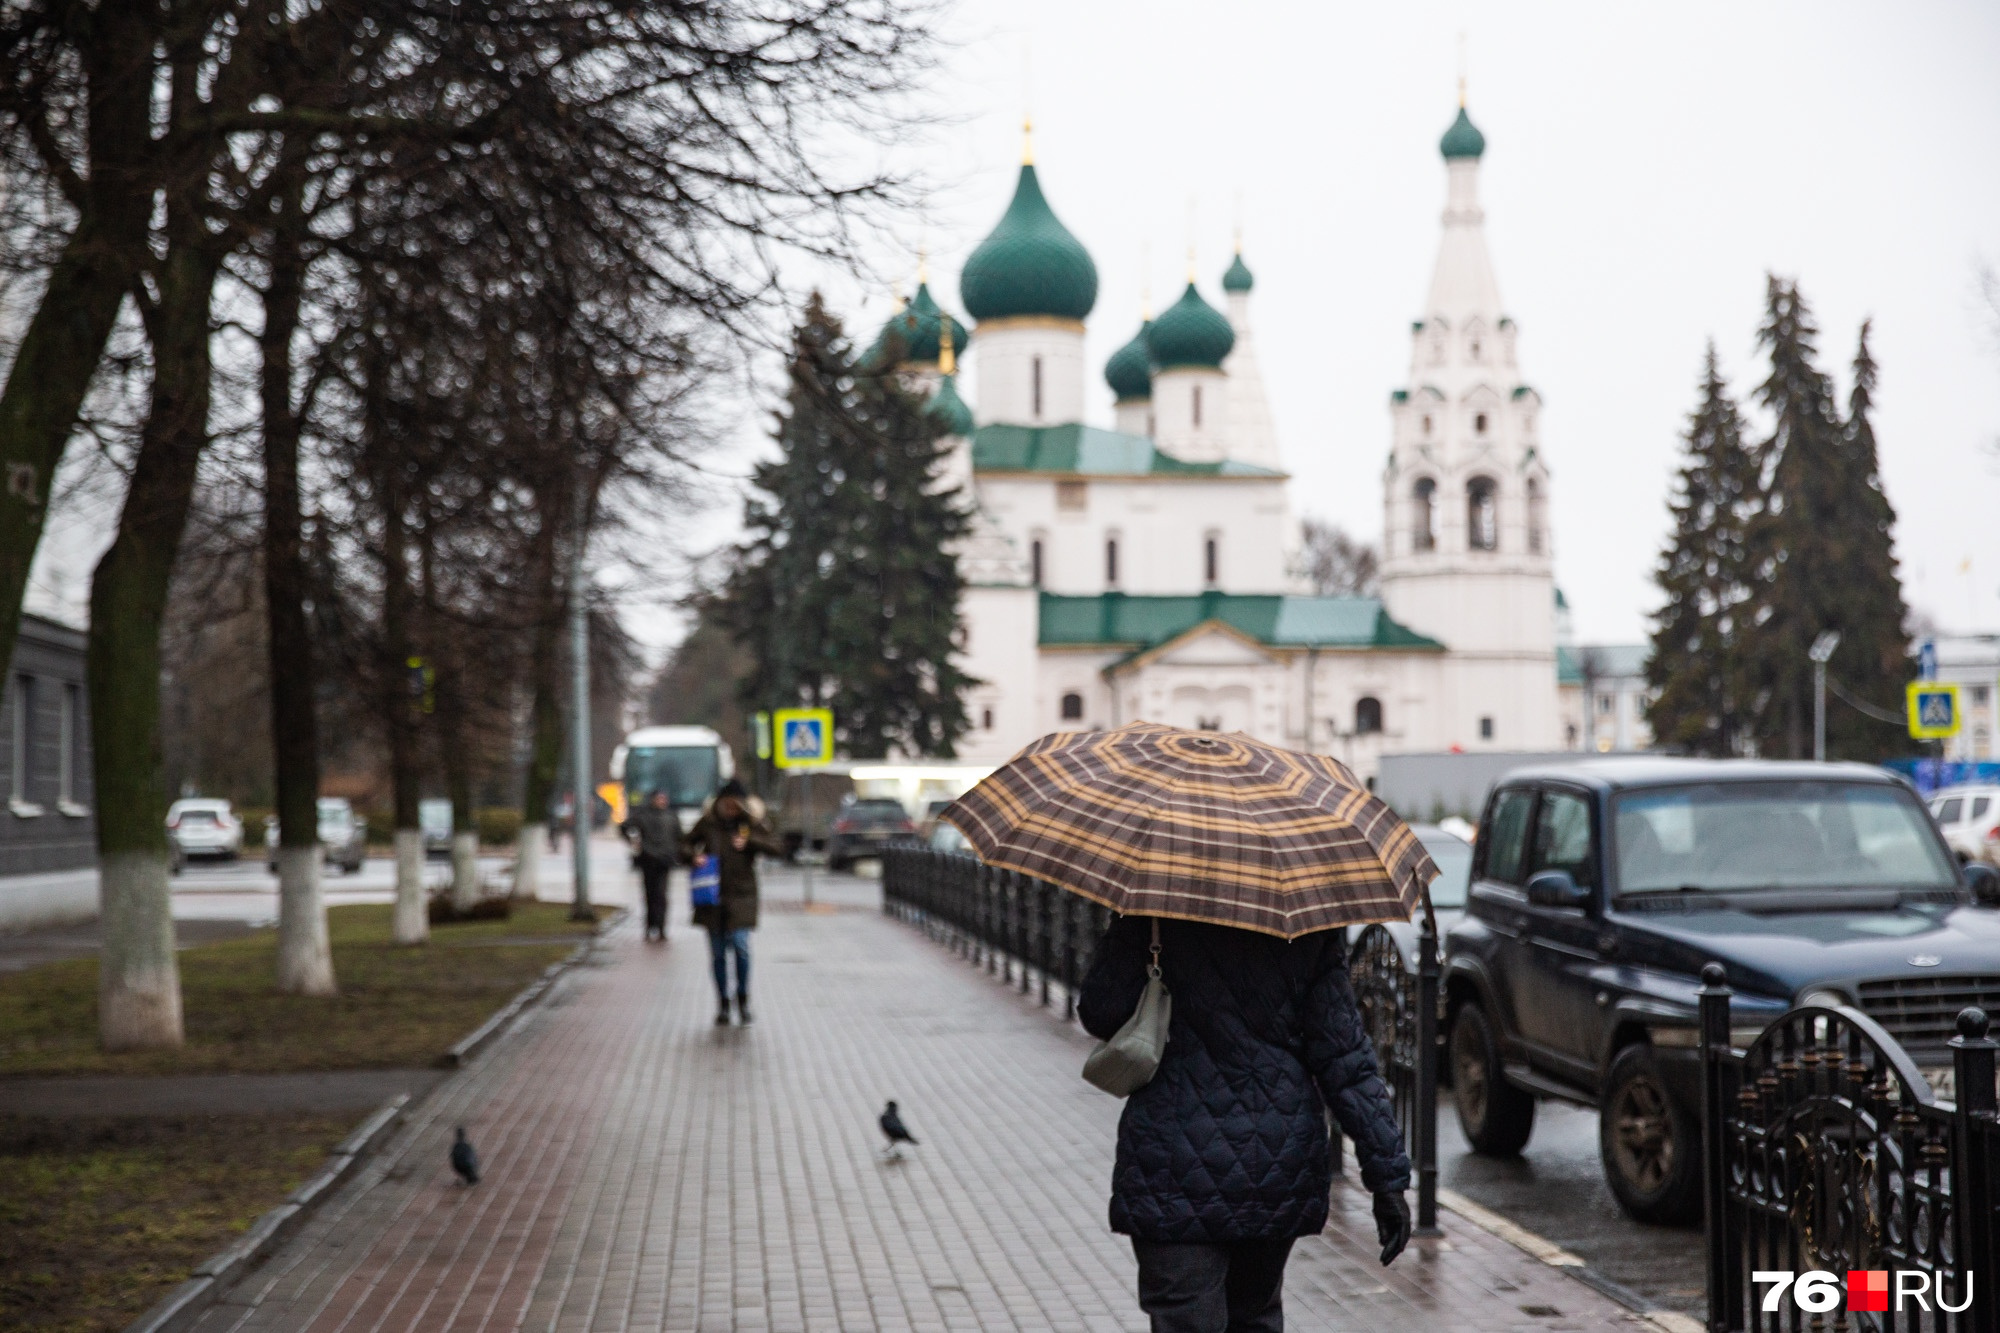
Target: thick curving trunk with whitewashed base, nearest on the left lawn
pixel 139 978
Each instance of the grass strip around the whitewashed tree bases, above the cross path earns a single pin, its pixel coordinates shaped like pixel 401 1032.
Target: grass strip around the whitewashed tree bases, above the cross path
pixel 395 1006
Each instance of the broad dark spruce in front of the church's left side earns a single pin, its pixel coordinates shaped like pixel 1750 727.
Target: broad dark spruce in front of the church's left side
pixel 847 593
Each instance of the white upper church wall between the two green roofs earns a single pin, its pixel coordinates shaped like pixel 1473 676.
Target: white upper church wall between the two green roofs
pixel 1161 529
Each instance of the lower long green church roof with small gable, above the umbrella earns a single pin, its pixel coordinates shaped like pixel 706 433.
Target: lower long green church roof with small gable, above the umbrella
pixel 1139 623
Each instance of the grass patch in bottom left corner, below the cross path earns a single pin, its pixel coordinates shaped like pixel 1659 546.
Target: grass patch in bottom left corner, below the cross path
pixel 101 1218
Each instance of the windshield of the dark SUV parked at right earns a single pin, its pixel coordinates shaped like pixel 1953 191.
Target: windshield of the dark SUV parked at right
pixel 1777 836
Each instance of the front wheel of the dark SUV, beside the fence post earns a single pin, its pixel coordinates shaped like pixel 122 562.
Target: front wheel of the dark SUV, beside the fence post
pixel 1653 1156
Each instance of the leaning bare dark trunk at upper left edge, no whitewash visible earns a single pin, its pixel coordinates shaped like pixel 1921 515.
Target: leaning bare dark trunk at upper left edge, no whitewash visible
pixel 65 339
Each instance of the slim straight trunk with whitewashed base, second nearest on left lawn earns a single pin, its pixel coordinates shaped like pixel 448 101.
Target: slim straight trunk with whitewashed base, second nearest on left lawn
pixel 305 954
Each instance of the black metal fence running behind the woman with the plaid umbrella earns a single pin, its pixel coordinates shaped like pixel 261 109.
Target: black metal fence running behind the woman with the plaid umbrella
pixel 1033 934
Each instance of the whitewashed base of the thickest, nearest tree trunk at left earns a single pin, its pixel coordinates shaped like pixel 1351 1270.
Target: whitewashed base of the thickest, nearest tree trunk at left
pixel 139 976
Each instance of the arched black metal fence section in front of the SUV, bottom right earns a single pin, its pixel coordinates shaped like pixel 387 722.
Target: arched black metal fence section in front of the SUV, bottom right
pixel 1827 1154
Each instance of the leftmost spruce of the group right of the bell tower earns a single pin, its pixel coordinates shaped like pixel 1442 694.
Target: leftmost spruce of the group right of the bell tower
pixel 1697 663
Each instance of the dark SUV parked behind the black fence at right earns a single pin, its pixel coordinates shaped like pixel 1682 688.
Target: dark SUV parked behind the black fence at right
pixel 1601 890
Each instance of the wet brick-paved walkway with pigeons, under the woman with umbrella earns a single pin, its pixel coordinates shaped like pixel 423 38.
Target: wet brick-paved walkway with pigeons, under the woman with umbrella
pixel 647 1170
